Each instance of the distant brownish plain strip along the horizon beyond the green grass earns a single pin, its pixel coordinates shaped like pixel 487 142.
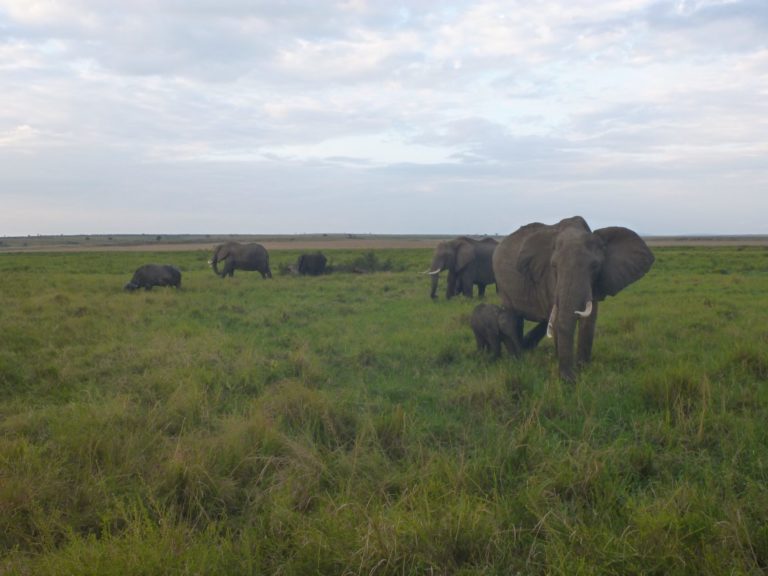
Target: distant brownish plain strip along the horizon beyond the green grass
pixel 185 242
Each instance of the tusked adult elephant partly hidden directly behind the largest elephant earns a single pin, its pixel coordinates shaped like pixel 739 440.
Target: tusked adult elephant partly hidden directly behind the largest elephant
pixel 468 262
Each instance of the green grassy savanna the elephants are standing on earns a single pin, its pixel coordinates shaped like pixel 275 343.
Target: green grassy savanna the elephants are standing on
pixel 345 424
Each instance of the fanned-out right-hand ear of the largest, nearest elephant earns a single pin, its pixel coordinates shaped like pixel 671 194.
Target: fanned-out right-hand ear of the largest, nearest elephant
pixel 627 259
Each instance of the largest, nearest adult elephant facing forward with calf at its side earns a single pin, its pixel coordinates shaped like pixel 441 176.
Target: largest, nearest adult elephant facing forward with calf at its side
pixel 556 274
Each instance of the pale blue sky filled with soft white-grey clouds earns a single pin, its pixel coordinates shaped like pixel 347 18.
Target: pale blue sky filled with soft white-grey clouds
pixel 382 117
